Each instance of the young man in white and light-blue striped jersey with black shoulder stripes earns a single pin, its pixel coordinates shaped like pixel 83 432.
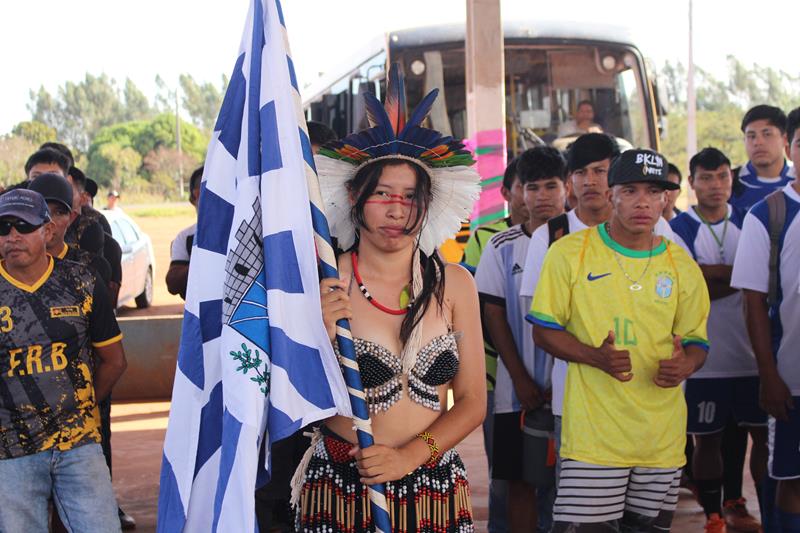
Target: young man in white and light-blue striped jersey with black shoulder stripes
pixel 523 373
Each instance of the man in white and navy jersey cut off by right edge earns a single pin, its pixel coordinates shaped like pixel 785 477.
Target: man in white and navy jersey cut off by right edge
pixel 772 303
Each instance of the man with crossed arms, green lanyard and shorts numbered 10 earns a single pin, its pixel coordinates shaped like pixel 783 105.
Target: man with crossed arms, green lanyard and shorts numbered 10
pixel 727 385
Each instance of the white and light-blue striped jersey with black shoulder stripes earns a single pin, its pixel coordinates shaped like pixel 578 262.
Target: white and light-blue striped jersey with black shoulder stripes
pixel 498 279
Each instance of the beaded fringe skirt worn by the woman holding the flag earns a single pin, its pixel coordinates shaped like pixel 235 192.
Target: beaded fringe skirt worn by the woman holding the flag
pixel 431 499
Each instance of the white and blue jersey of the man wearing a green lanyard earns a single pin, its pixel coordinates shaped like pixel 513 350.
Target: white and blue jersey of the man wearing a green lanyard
pixel 731 354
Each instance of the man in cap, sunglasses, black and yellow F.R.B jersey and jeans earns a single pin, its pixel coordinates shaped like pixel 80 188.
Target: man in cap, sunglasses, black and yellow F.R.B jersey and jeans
pixel 54 316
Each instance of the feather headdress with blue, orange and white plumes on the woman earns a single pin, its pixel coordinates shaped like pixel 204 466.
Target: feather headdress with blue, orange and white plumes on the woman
pixel 393 135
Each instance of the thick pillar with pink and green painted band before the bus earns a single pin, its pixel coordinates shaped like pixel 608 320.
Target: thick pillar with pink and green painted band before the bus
pixel 486 112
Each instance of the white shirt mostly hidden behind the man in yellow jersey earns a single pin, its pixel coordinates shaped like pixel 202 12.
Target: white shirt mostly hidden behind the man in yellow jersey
pixel 540 242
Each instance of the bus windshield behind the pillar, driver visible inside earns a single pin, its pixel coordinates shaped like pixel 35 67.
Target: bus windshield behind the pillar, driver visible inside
pixel 553 92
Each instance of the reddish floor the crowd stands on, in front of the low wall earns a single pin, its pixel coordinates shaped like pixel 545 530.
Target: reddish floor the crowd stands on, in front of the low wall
pixel 138 430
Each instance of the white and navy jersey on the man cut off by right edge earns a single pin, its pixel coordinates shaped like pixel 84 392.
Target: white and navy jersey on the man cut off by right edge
pixel 751 271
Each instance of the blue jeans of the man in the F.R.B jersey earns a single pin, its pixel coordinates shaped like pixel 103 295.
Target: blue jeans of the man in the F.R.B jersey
pixel 76 479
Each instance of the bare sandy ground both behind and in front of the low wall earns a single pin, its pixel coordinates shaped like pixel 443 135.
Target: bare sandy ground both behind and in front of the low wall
pixel 138 428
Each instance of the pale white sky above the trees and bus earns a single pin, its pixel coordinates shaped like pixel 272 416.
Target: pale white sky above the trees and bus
pixel 47 42
